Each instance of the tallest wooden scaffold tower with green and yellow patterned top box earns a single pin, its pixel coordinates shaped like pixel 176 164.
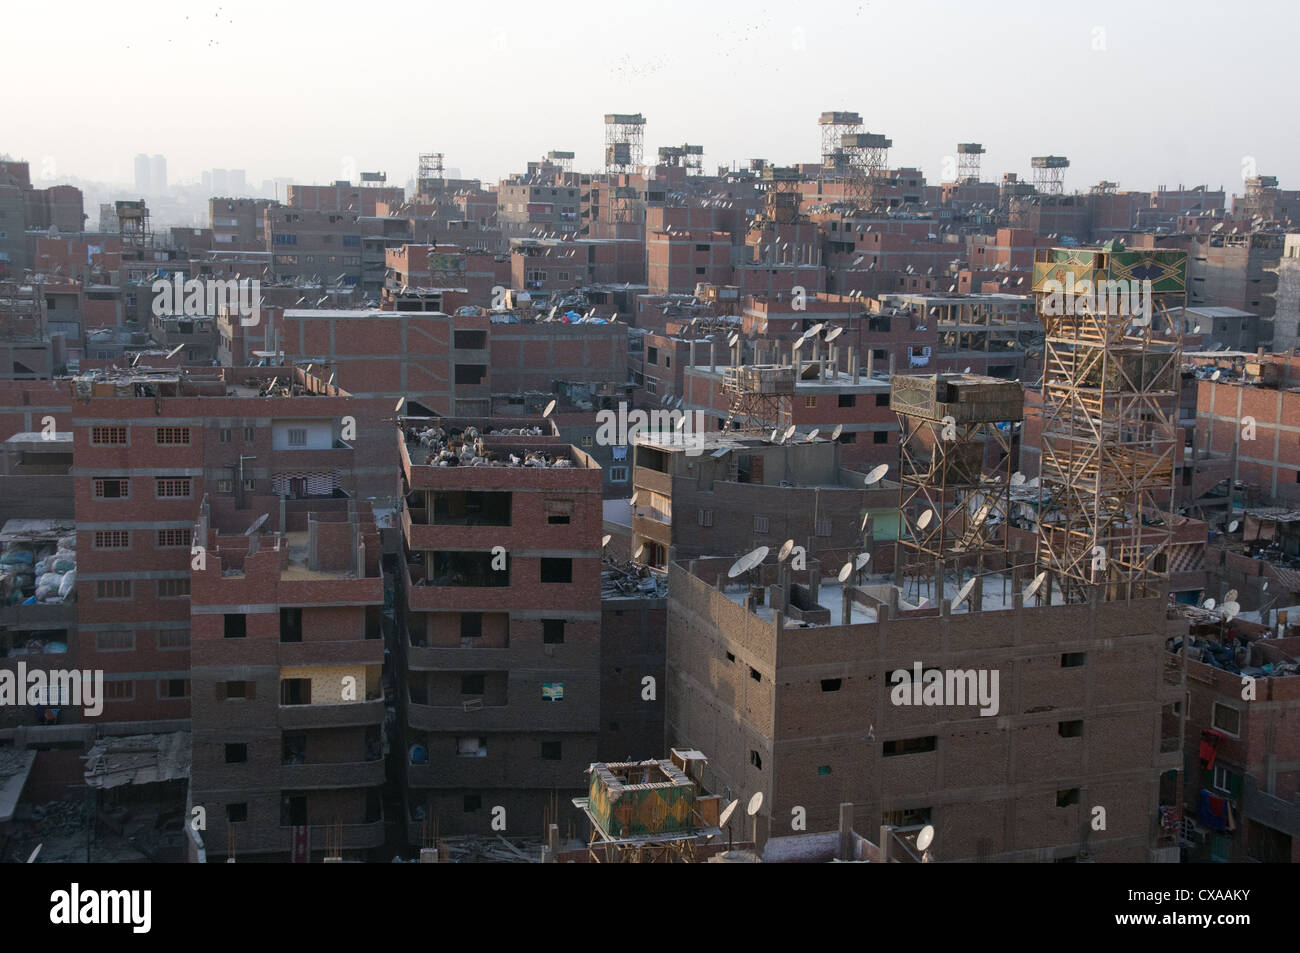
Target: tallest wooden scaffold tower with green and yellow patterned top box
pixel 1110 417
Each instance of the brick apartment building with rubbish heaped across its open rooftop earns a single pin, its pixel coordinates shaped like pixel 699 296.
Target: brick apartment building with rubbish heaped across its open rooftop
pixel 502 625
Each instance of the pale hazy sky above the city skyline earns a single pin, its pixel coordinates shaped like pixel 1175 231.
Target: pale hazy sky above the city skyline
pixel 1138 92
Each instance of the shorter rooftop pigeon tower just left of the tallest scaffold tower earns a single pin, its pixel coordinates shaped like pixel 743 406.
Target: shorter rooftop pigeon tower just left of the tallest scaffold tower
pixel 951 427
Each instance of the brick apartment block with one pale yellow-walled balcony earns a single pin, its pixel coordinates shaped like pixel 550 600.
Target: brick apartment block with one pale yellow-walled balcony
pixel 287 655
